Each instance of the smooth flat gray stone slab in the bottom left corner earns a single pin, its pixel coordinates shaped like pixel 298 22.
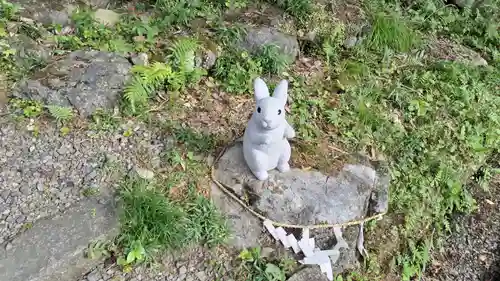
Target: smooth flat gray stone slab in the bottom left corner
pixel 53 249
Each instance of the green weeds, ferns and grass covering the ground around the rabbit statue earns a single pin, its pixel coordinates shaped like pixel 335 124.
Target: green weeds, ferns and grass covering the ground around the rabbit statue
pixel 434 120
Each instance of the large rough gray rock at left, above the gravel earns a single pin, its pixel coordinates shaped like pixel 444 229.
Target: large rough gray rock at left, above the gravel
pixel 86 80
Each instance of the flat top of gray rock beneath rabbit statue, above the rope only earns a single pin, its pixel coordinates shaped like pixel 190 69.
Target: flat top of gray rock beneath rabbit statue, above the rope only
pixel 308 197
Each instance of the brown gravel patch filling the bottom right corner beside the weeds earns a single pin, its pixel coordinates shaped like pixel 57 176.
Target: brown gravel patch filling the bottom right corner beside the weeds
pixel 473 253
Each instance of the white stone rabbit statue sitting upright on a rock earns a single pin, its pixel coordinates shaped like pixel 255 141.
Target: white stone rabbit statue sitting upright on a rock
pixel 265 142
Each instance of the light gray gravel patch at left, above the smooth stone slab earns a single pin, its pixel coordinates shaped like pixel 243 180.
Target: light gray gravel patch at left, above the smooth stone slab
pixel 42 175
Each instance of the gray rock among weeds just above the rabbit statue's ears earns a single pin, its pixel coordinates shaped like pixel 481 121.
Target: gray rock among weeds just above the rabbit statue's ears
pixel 255 38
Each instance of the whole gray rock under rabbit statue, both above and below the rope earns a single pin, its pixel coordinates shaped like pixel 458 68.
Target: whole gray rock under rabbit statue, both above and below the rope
pixel 302 197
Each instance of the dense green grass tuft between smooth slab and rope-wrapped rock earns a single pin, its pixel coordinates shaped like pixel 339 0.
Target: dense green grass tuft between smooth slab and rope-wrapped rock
pixel 152 223
